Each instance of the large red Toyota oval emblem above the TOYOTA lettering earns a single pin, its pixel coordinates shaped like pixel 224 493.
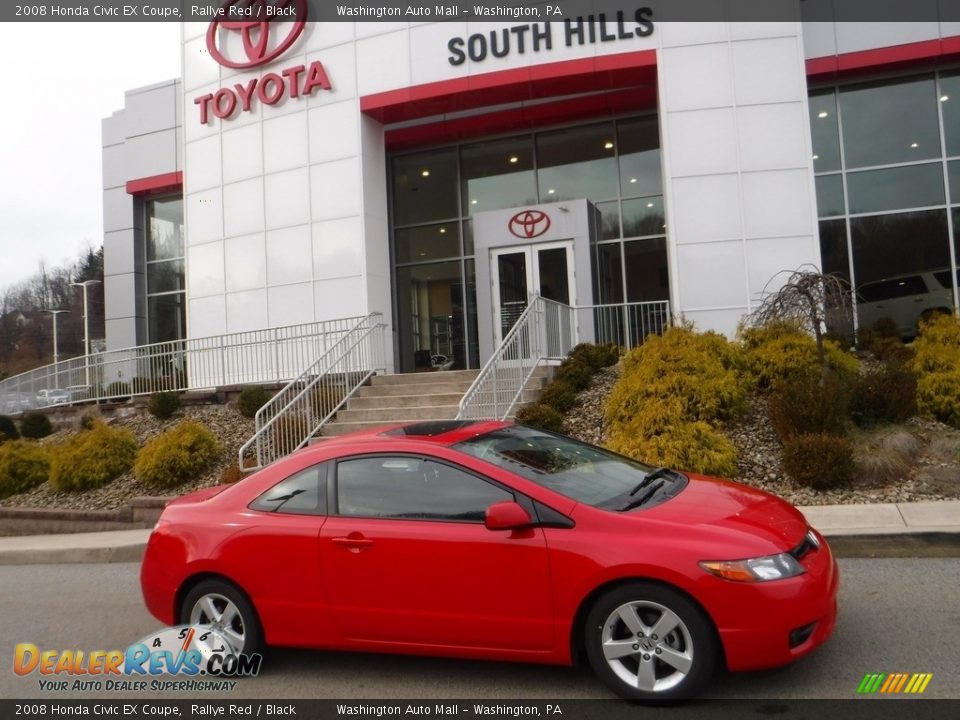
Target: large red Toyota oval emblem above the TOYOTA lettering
pixel 256 36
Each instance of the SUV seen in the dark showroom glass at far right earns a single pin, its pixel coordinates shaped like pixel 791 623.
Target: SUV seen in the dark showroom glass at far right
pixel 906 299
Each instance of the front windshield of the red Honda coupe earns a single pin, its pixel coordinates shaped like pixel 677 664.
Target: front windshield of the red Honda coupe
pixel 580 471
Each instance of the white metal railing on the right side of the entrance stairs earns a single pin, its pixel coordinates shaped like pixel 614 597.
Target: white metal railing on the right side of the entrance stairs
pixel 547 331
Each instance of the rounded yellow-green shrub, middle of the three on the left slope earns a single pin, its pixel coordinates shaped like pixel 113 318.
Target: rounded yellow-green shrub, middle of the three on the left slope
pixel 92 458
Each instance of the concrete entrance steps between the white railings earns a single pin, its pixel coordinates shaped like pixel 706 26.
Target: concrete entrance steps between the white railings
pixel 414 397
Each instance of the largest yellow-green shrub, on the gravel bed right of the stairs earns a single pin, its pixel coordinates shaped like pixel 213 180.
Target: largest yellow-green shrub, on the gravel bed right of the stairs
pixel 700 370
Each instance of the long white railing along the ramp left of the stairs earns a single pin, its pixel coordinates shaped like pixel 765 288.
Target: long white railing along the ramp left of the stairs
pixel 260 356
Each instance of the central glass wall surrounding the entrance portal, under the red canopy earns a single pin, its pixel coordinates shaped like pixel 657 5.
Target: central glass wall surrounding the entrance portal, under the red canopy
pixel 436 193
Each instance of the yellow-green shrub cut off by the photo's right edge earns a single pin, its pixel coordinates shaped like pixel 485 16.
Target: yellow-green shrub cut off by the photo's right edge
pixel 937 364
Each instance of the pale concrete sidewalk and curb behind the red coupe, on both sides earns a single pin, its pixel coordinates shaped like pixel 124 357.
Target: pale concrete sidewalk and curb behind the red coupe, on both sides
pixel 880 522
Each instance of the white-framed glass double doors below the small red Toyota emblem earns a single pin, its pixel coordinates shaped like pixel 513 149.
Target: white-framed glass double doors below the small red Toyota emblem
pixel 522 272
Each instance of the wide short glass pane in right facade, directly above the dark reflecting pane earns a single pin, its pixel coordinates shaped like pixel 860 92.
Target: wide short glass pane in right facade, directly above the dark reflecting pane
pixel 895 188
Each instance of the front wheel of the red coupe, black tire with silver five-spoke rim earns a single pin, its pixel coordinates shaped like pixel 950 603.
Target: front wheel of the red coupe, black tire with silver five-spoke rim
pixel 638 668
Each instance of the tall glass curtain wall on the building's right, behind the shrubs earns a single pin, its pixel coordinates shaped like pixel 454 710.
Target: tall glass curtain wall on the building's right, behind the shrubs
pixel 887 165
